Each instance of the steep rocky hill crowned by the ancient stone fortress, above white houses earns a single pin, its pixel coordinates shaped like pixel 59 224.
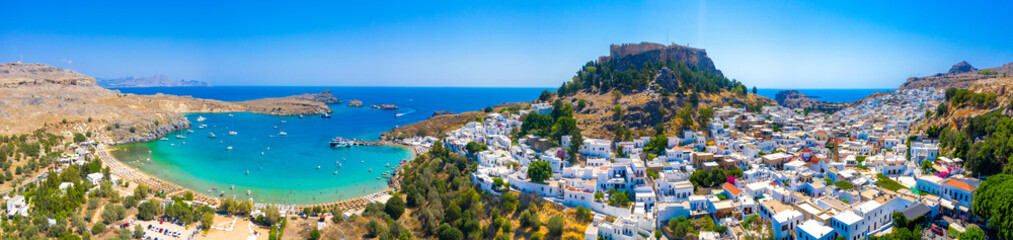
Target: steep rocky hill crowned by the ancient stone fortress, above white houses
pixel 643 86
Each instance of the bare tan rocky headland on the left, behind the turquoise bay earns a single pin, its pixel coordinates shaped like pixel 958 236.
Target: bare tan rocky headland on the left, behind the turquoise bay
pixel 64 103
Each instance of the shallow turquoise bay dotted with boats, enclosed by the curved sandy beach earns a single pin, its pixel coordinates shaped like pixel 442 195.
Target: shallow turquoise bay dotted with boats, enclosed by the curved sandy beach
pixel 286 174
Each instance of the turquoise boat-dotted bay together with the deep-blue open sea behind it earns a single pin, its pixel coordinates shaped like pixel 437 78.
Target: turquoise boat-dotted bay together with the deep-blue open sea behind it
pixel 288 173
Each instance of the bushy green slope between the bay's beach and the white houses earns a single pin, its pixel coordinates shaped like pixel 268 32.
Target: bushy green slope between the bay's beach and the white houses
pixel 440 202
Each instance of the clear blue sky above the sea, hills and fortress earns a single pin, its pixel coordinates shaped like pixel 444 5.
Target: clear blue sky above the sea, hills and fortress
pixel 523 44
